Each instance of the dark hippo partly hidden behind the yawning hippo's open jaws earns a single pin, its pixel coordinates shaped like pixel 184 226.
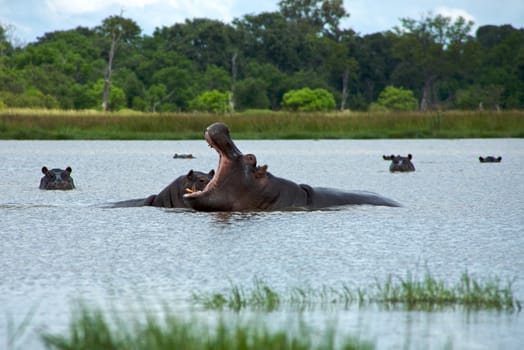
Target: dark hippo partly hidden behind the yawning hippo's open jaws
pixel 171 196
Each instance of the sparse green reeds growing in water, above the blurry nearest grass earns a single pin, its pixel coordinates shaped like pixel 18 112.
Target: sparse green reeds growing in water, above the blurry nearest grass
pixel 426 294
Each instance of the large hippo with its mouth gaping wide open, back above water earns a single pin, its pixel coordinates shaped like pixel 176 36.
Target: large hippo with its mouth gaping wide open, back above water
pixel 240 185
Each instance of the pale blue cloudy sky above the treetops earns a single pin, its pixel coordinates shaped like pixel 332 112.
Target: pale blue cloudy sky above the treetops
pixel 30 19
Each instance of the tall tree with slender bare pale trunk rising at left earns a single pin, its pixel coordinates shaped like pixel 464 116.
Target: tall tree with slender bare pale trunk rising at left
pixel 117 30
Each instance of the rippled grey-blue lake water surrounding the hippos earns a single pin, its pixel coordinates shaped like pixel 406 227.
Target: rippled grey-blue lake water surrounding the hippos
pixel 457 215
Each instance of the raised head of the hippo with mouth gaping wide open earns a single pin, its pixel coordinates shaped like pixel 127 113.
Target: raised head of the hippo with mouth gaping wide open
pixel 236 180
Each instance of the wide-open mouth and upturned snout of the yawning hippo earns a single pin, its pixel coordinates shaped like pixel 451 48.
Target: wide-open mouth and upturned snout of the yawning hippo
pixel 218 137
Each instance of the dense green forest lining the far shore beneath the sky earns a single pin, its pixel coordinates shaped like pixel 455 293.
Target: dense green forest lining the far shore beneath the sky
pixel 435 62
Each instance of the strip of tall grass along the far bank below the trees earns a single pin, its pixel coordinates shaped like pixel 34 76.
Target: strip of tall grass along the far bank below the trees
pixel 53 124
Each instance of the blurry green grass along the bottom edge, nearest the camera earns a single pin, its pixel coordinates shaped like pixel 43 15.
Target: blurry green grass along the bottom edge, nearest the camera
pixel 92 329
